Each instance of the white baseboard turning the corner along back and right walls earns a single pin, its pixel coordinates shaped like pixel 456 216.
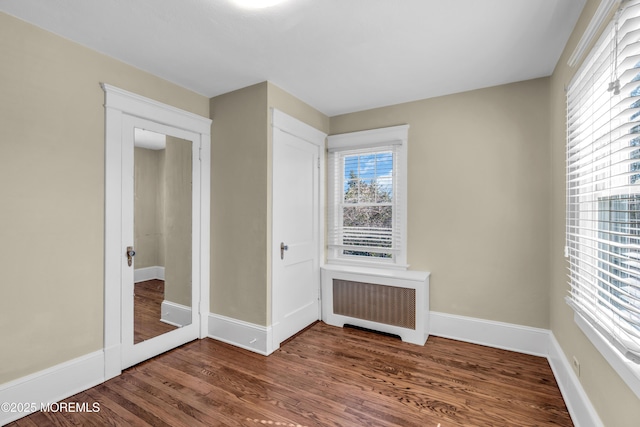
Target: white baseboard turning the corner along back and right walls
pixel 522 339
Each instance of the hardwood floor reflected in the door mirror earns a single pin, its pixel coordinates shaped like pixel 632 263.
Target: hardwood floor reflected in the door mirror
pixel 146 311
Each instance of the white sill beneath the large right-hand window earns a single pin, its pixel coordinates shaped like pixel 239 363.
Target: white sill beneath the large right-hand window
pixel 628 371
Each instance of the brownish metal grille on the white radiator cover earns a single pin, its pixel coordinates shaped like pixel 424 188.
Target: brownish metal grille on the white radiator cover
pixel 376 303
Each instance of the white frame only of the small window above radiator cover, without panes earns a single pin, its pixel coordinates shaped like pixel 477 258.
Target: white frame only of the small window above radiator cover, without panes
pixel 391 138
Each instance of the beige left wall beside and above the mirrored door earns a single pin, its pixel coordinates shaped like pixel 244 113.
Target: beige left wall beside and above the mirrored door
pixel 52 187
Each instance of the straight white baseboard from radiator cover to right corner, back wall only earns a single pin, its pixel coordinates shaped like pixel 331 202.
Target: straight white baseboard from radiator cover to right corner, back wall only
pixel 507 336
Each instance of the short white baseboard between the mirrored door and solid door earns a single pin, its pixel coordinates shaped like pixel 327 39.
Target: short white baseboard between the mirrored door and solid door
pixel 242 334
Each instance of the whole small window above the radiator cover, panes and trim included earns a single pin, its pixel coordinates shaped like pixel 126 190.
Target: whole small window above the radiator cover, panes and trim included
pixel 367 197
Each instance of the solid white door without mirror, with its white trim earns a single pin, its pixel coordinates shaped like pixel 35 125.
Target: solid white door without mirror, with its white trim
pixel 296 226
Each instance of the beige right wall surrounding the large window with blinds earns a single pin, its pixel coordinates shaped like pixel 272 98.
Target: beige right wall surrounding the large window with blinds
pixel 616 404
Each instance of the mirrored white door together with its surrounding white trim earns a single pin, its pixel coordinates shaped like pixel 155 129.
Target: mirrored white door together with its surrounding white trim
pixel 156 228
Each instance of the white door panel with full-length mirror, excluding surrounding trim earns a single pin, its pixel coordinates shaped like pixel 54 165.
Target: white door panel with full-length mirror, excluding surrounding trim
pixel 160 238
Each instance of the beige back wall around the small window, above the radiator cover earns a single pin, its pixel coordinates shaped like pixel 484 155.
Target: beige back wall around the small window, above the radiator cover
pixel 478 202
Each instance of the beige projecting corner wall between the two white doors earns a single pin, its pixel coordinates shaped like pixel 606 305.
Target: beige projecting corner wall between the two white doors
pixel 241 197
